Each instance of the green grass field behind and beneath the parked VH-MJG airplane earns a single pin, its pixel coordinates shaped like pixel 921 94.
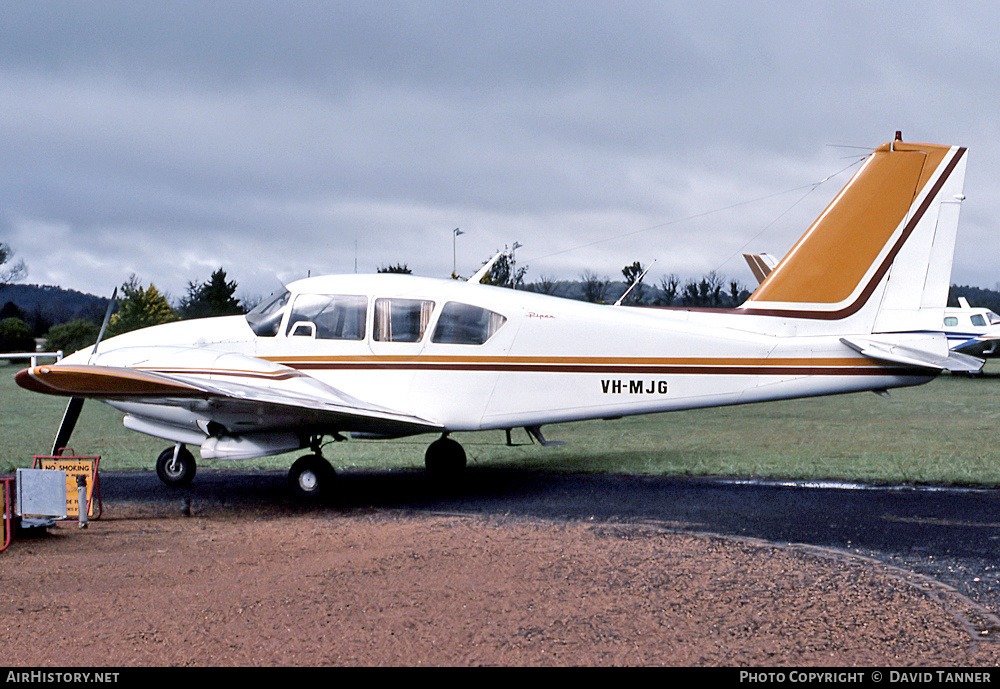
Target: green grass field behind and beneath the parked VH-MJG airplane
pixel 943 432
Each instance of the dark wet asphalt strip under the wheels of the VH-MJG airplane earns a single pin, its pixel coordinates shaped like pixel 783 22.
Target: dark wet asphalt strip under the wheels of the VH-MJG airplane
pixel 949 535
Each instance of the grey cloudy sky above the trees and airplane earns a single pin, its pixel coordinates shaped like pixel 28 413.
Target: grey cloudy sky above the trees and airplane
pixel 274 139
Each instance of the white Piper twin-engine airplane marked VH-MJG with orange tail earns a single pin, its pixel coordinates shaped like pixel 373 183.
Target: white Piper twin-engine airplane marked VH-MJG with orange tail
pixel 847 309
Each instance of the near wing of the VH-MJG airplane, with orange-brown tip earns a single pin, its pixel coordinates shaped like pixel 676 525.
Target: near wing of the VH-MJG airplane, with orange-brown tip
pixel 241 393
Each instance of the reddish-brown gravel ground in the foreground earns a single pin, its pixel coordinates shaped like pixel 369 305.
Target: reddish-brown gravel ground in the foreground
pixel 264 587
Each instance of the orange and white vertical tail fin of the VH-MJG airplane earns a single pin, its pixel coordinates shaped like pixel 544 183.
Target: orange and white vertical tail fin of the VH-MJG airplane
pixel 880 254
